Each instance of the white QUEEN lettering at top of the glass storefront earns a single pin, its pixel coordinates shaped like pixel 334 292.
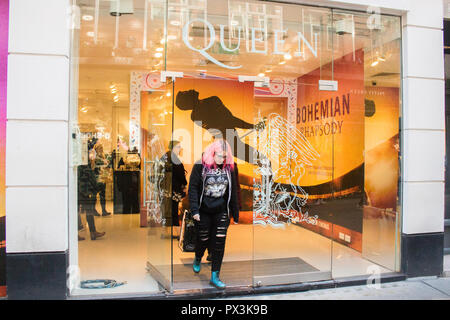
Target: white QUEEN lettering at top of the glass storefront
pixel 278 42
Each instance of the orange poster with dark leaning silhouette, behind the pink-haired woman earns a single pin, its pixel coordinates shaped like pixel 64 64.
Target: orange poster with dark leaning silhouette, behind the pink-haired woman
pixel 194 111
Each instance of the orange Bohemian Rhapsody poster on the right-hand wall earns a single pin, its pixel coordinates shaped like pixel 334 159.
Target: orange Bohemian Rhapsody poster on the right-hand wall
pixel 333 122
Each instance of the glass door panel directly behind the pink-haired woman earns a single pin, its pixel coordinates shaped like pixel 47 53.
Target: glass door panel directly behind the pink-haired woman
pixel 205 110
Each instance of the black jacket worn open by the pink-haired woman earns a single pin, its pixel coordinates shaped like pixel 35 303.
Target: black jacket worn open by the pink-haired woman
pixel 196 190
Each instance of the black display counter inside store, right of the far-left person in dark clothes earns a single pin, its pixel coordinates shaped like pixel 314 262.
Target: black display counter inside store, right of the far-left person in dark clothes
pixel 126 191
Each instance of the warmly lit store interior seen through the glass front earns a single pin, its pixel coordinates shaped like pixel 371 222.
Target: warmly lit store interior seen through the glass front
pixel 122 104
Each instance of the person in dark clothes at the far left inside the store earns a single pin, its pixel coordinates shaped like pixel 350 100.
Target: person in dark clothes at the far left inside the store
pixel 87 192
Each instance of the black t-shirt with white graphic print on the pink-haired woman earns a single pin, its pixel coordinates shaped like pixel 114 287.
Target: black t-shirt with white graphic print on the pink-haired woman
pixel 215 191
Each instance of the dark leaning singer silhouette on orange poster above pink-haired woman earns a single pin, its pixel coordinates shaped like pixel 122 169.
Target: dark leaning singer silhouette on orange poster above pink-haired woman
pixel 215 117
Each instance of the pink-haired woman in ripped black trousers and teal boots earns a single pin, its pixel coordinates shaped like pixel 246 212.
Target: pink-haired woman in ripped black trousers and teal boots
pixel 213 200
